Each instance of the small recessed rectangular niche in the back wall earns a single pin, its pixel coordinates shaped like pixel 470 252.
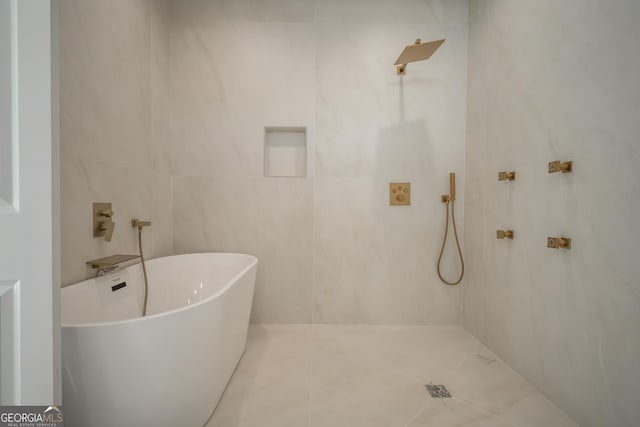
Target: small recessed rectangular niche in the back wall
pixel 285 151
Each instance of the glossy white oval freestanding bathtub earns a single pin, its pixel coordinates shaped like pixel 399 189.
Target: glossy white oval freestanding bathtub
pixel 168 368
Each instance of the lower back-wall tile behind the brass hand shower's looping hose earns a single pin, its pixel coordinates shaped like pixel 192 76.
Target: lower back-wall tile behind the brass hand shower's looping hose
pixel 376 263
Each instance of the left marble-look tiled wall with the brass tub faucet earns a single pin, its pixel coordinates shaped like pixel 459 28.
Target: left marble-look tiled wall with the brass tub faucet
pixel 114 127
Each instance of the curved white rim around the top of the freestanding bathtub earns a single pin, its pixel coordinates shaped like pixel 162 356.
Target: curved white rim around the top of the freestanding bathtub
pixel 234 279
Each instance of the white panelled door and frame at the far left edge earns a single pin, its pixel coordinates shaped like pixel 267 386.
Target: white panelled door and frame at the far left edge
pixel 29 325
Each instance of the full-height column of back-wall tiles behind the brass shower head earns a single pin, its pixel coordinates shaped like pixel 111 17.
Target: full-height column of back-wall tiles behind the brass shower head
pixel 375 263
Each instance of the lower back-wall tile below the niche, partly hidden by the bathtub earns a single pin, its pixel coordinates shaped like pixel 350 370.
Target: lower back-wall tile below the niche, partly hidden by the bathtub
pixel 270 218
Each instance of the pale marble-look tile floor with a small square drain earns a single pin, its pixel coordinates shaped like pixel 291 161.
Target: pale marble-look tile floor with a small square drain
pixel 369 376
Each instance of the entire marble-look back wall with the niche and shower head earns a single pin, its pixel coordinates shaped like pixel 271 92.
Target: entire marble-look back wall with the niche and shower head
pixel 331 249
